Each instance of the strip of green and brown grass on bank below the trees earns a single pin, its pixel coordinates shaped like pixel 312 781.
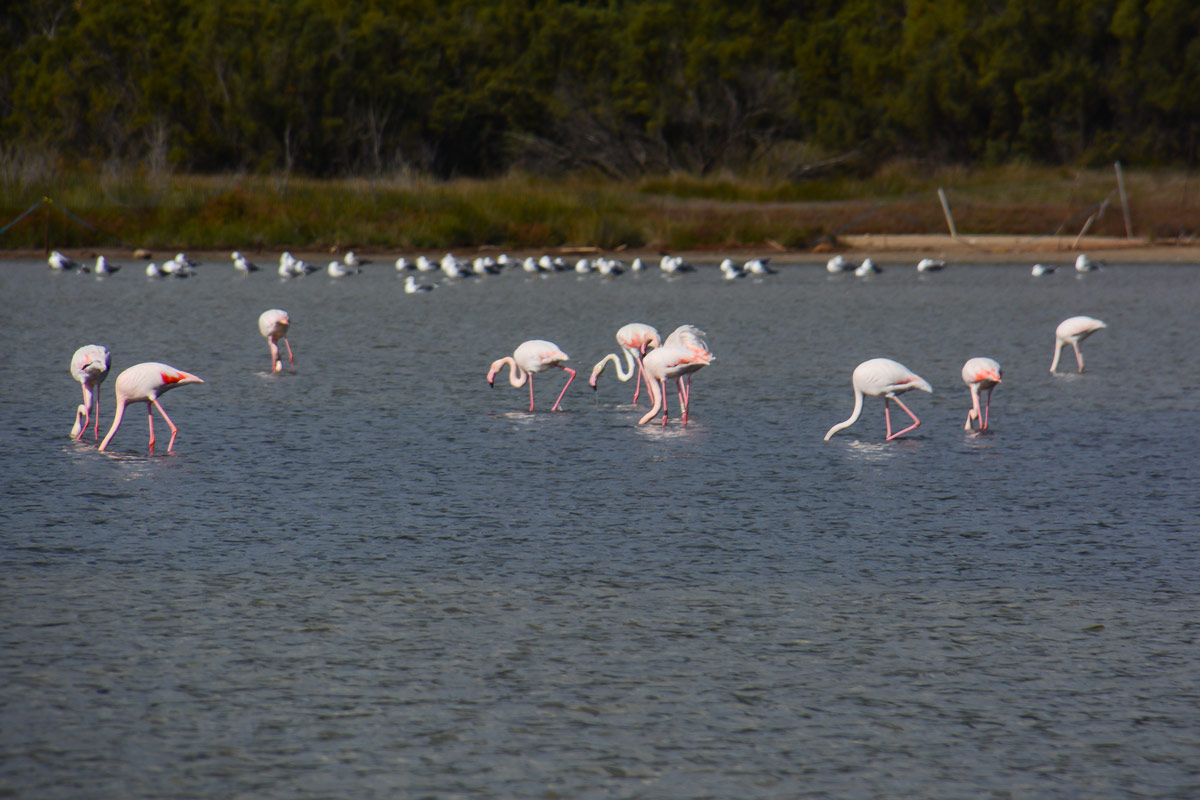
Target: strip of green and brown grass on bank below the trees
pixel 520 212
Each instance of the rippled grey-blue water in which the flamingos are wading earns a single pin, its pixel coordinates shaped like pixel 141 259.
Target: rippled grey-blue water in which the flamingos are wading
pixel 381 579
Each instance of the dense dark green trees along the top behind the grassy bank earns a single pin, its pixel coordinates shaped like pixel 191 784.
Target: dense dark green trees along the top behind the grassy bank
pixel 469 88
